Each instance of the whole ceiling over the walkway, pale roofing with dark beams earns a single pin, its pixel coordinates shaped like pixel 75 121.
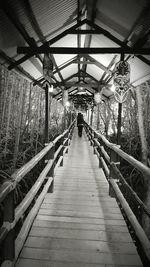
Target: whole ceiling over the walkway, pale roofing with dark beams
pixel 74 32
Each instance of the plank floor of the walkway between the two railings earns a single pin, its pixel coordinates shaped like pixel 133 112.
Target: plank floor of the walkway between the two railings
pixel 79 225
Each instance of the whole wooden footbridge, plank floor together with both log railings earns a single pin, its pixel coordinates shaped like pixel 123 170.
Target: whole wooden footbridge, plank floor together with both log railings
pixel 78 218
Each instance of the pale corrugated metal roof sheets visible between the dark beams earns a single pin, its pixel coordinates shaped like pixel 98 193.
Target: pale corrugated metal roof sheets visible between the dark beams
pixel 121 18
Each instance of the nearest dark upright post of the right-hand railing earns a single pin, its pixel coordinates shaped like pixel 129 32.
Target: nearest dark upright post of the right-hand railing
pixel 113 158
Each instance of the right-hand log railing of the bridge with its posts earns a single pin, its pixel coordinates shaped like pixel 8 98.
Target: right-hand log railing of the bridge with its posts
pixel 109 156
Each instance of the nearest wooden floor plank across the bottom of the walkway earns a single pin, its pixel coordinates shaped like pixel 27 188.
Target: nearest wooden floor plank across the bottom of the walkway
pixel 80 256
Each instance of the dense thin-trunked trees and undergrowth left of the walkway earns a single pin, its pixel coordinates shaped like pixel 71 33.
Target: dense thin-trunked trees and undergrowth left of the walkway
pixel 22 122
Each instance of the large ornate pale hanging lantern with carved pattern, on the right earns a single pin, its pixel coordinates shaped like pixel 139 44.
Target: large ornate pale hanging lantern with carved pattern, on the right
pixel 121 81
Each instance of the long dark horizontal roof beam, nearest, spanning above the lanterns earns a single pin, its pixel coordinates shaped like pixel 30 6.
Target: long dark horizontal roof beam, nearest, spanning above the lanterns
pixel 86 50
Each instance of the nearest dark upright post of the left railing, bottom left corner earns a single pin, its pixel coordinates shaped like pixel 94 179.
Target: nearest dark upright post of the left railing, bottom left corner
pixel 9 243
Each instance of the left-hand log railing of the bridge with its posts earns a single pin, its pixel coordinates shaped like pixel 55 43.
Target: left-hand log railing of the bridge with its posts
pixel 51 157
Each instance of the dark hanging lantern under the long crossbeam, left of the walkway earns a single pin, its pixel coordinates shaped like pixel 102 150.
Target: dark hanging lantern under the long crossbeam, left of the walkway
pixel 47 66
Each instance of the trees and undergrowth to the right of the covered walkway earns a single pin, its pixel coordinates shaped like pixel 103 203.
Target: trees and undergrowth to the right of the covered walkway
pixel 105 121
